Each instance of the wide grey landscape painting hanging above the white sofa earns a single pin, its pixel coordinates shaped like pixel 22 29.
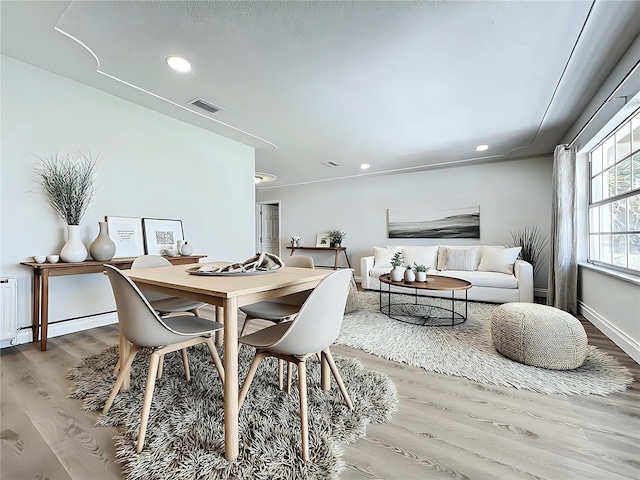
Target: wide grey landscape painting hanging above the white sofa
pixel 461 222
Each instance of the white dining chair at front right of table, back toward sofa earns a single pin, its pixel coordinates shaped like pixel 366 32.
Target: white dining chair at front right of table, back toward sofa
pixel 312 331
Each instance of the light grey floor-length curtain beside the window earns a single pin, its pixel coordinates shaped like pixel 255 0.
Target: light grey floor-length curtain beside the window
pixel 563 270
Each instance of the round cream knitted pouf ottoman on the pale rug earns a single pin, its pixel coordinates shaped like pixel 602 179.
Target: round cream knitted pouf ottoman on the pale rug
pixel 539 335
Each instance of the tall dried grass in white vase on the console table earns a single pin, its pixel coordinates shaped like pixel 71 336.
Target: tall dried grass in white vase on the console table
pixel 69 186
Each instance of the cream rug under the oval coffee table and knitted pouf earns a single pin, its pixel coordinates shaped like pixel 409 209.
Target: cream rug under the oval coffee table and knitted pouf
pixel 467 351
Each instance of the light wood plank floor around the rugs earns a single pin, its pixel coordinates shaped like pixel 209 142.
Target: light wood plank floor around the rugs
pixel 445 427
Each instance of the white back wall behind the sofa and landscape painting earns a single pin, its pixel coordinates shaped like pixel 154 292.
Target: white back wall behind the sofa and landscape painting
pixel 511 195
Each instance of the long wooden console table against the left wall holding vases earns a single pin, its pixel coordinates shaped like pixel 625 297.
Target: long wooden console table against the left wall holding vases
pixel 42 272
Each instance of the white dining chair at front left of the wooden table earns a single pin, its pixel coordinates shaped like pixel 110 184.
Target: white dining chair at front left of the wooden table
pixel 141 325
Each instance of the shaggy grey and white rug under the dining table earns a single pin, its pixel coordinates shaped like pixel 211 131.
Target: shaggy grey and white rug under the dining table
pixel 185 436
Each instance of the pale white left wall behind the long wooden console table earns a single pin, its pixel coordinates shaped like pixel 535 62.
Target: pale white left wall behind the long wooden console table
pixel 153 166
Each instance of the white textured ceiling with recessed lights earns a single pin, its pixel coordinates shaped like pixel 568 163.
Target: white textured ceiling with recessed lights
pixel 398 85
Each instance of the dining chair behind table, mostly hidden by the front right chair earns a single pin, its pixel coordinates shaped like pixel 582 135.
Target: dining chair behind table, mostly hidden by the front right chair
pixel 279 310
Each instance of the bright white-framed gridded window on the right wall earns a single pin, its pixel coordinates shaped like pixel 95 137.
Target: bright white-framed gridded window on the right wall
pixel 614 205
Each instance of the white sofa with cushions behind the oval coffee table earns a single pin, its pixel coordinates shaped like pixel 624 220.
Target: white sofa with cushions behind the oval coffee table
pixel 495 272
